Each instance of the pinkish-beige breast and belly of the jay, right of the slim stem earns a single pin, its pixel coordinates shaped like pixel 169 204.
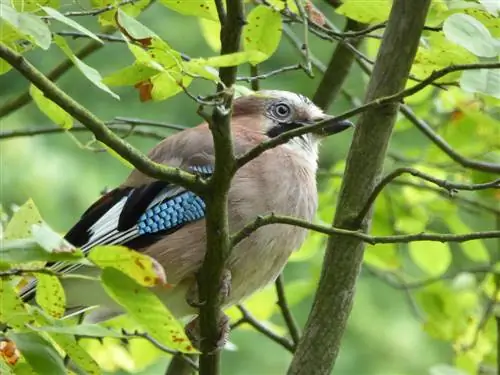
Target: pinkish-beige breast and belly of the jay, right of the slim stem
pixel 286 186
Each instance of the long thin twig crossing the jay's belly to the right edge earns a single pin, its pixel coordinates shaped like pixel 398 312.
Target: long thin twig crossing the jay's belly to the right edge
pixel 372 240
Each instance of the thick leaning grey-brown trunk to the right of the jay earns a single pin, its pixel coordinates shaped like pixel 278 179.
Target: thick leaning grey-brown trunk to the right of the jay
pixel 343 258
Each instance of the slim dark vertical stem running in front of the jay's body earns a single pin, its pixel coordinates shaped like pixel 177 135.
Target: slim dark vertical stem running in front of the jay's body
pixel 217 227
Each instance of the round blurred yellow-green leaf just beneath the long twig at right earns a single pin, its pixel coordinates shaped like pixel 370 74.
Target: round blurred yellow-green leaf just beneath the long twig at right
pixel 430 256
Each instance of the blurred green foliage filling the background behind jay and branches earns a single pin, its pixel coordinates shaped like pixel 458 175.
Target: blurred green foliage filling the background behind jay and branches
pixel 393 330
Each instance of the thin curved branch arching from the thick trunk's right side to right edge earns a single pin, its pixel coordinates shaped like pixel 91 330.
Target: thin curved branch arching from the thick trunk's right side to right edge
pixel 451 187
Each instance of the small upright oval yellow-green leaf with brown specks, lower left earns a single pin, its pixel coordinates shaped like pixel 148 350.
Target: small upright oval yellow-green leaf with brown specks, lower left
pixel 50 295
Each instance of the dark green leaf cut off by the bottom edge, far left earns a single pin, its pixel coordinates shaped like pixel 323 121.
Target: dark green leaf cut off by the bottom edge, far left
pixel 39 353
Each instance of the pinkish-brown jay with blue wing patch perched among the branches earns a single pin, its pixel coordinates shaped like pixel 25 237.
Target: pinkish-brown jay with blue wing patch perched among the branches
pixel 167 222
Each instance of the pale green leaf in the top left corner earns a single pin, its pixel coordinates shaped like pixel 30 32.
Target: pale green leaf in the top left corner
pixel 27 24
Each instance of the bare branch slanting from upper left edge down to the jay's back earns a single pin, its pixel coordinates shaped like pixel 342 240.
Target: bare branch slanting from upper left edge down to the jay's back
pixel 99 128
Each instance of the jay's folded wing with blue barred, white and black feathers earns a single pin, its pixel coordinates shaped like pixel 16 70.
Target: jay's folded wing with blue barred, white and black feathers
pixel 133 216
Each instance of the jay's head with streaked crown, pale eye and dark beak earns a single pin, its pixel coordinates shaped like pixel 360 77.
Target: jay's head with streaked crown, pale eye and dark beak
pixel 281 111
